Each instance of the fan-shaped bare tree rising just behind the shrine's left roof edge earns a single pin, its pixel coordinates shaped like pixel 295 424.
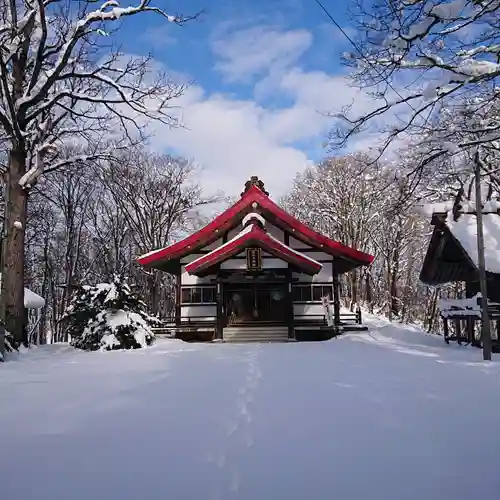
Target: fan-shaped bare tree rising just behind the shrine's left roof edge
pixel 159 199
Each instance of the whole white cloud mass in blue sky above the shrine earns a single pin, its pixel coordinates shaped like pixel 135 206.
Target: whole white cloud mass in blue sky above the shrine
pixel 233 139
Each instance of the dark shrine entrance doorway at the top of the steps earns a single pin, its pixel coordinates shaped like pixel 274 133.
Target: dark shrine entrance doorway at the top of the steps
pixel 246 303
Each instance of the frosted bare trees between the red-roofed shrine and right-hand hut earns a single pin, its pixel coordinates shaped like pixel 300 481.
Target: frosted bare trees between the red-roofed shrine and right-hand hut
pixel 360 203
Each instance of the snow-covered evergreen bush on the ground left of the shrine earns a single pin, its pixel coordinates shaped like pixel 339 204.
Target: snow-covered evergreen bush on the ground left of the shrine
pixel 109 316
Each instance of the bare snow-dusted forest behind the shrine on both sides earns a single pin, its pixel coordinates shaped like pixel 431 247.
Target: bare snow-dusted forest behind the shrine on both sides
pixel 86 226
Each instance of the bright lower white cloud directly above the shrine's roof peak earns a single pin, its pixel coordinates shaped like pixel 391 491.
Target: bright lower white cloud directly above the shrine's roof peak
pixel 227 138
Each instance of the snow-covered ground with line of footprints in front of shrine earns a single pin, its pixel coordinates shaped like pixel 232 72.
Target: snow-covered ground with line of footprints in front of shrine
pixel 390 414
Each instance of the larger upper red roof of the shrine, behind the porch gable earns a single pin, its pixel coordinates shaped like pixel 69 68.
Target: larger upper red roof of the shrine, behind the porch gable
pixel 233 216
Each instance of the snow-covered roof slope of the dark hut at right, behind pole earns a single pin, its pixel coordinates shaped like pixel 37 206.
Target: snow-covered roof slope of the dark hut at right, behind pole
pixel 465 231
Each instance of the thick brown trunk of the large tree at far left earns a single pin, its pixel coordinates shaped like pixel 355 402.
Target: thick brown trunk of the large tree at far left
pixel 13 271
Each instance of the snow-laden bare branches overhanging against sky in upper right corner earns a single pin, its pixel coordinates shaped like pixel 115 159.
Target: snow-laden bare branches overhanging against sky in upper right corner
pixel 420 59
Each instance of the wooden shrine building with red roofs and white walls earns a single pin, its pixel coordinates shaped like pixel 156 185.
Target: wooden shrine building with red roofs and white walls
pixel 255 273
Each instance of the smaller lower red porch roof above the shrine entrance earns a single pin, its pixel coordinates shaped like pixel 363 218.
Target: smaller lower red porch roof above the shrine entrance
pixel 253 236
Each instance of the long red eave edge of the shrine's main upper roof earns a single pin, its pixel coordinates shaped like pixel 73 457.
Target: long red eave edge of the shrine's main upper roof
pixel 214 230
